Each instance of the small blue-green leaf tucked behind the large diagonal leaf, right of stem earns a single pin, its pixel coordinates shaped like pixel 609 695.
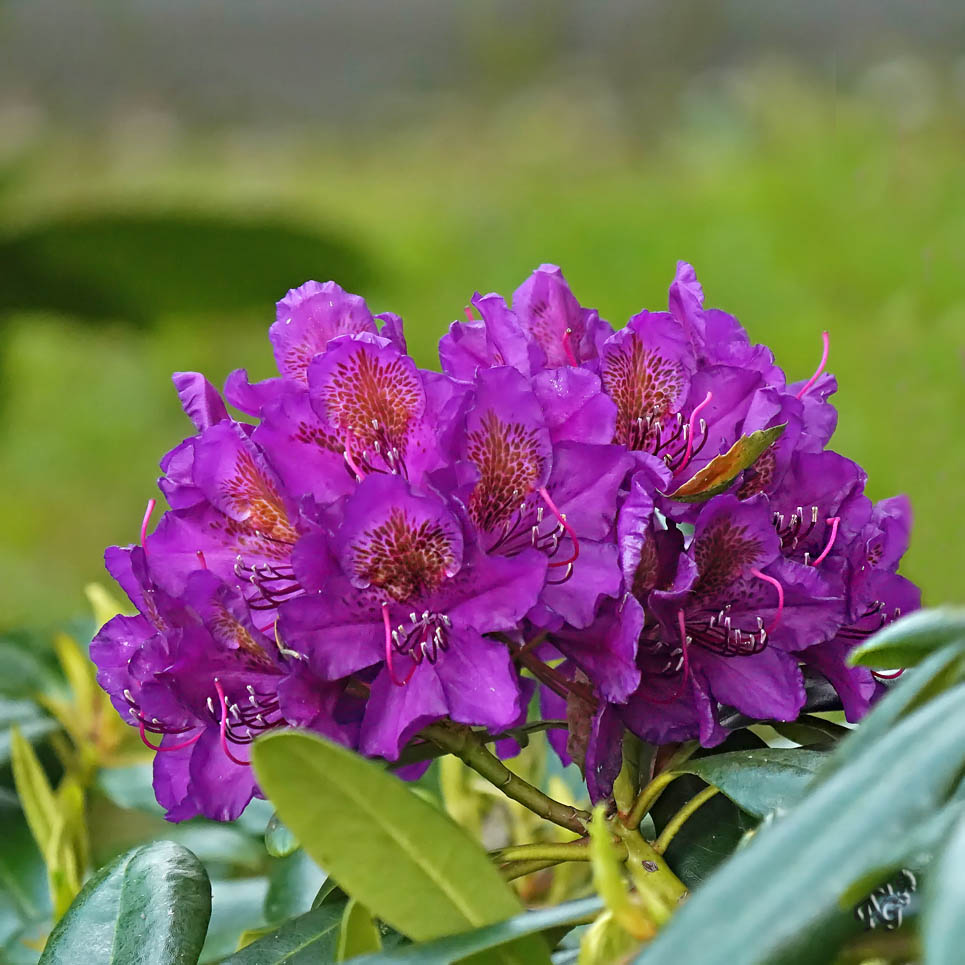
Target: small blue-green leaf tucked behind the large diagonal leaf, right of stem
pixel 762 780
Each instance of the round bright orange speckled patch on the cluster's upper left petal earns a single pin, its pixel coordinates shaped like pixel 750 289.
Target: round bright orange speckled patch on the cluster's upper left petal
pixel 374 400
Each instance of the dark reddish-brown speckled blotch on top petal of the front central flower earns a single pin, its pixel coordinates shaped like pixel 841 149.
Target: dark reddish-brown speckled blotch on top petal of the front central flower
pixel 403 557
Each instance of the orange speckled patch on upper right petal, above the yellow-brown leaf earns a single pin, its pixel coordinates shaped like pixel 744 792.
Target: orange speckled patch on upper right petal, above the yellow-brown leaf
pixel 642 383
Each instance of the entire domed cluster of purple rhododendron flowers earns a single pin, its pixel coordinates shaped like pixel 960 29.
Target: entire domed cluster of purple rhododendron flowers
pixel 644 525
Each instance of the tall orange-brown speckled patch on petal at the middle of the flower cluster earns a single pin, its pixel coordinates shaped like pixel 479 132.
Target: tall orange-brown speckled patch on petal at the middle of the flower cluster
pixel 510 462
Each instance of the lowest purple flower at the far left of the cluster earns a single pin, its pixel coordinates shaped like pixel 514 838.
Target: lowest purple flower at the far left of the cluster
pixel 196 672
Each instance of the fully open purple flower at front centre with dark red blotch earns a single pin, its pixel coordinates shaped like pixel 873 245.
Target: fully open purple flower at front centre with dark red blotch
pixel 404 599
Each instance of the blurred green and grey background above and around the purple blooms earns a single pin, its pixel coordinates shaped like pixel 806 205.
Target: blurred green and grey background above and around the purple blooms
pixel 168 170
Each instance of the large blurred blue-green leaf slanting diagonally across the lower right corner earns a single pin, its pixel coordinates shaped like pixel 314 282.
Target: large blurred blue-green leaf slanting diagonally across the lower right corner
pixel 796 870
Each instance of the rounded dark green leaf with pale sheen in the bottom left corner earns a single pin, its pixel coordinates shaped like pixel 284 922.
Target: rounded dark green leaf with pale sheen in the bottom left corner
pixel 150 906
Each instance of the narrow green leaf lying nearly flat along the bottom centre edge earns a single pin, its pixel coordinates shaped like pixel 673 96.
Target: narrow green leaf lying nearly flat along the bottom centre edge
pixel 455 948
